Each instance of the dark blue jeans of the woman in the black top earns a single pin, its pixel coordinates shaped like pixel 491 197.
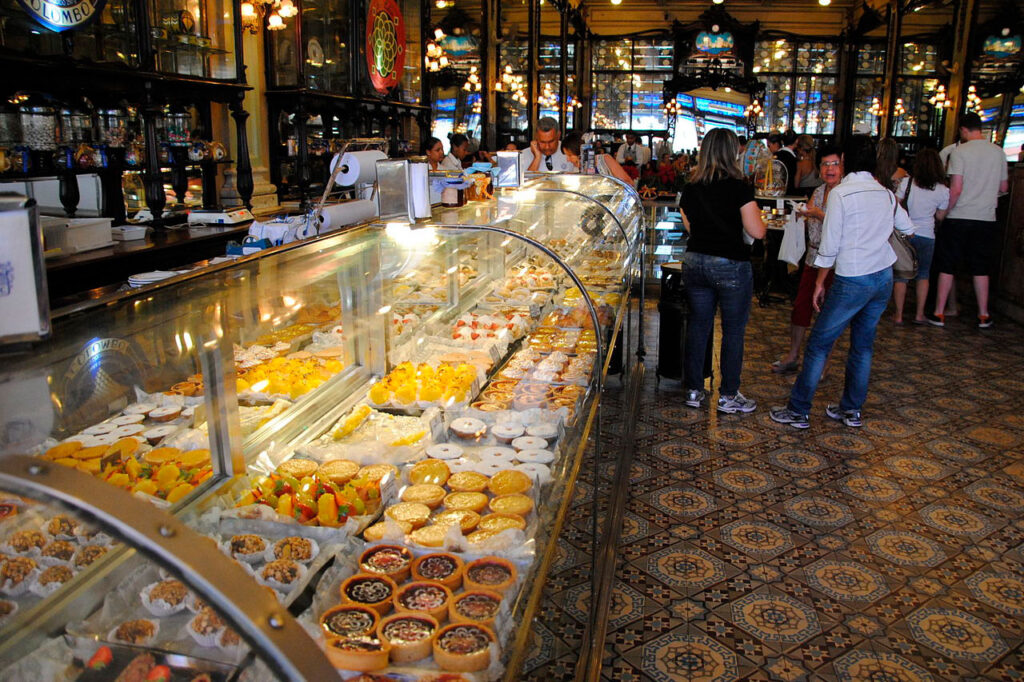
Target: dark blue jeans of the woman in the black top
pixel 713 281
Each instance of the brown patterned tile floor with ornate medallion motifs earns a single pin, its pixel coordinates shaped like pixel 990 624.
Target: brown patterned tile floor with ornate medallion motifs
pixel 751 550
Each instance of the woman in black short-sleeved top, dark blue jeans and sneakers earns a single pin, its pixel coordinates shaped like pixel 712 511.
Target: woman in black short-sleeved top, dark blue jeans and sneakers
pixel 719 211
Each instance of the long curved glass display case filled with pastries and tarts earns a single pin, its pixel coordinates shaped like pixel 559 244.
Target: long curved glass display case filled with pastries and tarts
pixel 339 416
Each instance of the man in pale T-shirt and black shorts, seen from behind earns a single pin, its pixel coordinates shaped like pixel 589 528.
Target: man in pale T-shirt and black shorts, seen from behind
pixel 970 233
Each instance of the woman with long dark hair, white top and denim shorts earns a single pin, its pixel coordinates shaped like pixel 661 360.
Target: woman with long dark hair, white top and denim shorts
pixel 926 198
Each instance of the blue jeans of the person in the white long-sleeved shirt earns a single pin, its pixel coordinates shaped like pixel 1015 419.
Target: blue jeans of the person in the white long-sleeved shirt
pixel 858 304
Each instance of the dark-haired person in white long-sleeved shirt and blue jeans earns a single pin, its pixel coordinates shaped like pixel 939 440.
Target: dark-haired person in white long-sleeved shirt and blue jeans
pixel 861 216
